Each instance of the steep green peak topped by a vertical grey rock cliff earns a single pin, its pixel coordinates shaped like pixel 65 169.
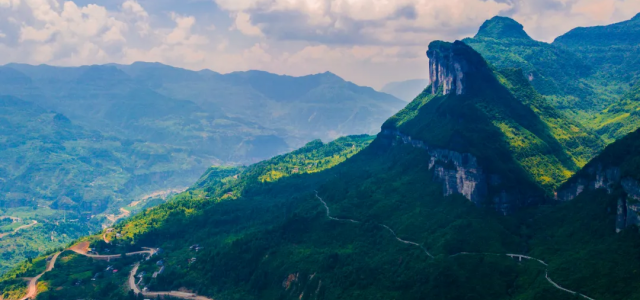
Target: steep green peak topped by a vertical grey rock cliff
pixel 497 118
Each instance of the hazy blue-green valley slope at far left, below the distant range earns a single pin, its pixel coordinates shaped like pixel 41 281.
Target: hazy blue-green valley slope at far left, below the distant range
pixel 52 170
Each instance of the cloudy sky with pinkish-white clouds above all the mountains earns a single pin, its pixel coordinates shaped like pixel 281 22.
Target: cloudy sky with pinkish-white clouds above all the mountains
pixel 369 42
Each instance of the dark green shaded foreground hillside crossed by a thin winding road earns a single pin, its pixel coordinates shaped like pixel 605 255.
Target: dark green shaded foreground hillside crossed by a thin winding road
pixel 275 240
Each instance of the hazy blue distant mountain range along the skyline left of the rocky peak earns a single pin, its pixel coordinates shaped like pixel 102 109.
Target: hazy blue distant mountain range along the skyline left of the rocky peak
pixel 241 117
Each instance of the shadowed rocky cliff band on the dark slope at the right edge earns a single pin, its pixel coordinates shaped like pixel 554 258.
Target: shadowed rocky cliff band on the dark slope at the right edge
pixel 598 177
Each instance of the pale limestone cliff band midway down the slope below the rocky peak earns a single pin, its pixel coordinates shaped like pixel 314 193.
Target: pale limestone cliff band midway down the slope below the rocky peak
pixel 460 173
